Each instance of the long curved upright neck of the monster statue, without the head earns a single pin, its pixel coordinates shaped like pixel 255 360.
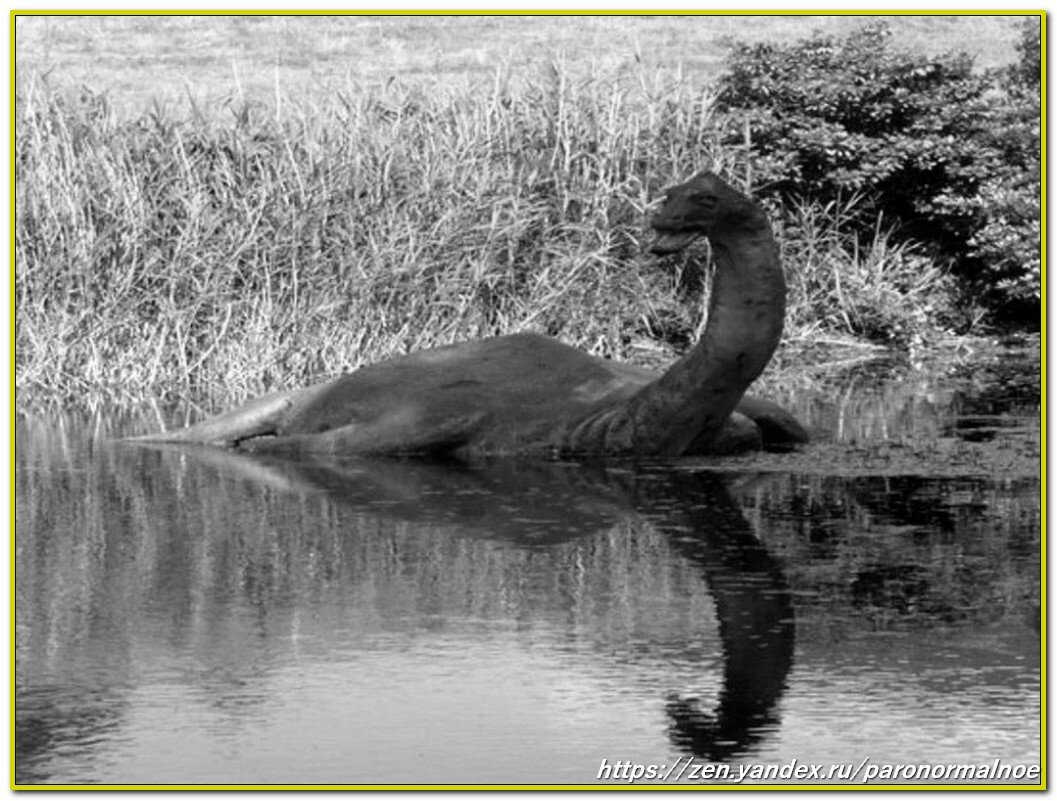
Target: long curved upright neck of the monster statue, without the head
pixel 693 401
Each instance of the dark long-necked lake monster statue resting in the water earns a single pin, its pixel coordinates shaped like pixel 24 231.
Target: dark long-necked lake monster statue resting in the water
pixel 531 396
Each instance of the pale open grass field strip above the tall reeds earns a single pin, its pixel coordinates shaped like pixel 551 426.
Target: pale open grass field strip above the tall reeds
pixel 143 60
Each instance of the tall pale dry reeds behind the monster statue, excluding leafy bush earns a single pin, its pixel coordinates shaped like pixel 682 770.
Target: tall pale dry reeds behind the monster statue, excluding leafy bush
pixel 228 252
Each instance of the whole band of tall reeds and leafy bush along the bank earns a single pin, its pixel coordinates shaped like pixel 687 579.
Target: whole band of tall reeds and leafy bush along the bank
pixel 227 252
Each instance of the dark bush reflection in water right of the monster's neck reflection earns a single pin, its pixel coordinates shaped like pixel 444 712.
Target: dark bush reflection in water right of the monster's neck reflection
pixel 934 552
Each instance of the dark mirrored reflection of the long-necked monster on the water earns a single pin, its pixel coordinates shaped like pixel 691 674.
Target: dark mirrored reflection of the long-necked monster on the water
pixel 694 509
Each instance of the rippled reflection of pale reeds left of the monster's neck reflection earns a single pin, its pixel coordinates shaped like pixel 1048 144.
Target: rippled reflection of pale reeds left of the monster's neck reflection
pixel 136 549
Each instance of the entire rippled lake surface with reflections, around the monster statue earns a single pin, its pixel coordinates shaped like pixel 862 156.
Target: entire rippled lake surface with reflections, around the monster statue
pixel 192 617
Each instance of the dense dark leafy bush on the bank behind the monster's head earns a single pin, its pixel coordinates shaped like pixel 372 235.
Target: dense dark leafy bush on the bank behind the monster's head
pixel 949 157
